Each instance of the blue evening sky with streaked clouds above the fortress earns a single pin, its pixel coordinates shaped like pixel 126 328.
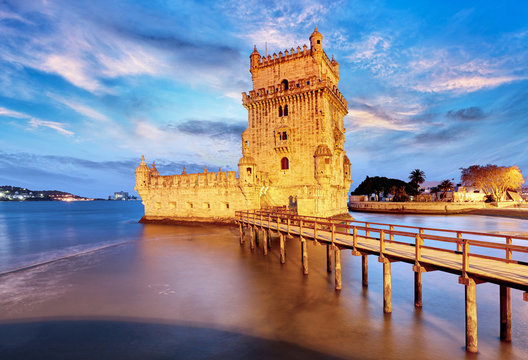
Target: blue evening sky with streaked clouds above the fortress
pixel 87 87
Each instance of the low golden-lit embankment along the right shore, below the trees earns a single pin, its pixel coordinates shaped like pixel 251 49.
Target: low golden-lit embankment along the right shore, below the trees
pixel 438 208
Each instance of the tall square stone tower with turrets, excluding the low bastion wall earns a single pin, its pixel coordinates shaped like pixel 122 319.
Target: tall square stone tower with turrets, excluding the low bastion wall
pixel 293 147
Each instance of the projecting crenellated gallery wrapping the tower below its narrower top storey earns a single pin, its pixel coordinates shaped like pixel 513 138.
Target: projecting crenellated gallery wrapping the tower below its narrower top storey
pixel 298 86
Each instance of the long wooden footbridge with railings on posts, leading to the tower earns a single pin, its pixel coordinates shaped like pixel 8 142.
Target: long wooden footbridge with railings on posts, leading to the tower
pixel 476 257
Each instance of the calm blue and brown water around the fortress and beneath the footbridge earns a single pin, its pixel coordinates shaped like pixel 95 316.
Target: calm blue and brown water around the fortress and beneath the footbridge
pixel 111 288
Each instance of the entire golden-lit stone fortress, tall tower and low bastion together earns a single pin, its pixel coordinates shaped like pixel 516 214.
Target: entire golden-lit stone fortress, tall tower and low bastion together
pixel 292 151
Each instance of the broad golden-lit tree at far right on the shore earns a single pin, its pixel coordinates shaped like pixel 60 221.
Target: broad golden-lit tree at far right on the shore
pixel 492 179
